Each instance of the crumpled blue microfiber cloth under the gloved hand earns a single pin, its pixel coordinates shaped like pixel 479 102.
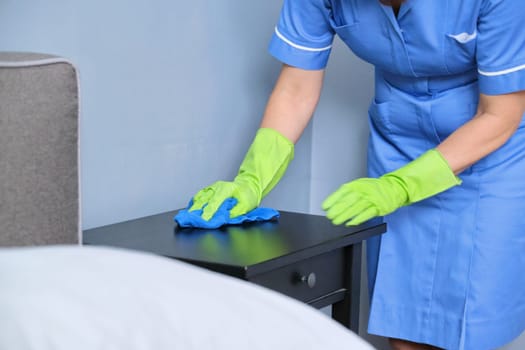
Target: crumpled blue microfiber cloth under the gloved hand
pixel 193 219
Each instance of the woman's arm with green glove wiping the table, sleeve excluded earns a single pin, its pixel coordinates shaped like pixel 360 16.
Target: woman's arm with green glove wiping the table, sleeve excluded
pixel 288 111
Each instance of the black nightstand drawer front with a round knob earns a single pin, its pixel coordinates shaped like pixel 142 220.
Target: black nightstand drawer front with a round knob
pixel 308 279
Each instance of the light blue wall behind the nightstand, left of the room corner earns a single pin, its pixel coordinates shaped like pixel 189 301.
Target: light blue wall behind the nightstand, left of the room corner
pixel 172 93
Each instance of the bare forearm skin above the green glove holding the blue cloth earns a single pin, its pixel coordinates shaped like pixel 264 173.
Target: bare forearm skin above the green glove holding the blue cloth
pixel 293 101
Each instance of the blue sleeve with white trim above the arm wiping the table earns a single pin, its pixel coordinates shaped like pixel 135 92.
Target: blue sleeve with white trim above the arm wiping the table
pixel 303 36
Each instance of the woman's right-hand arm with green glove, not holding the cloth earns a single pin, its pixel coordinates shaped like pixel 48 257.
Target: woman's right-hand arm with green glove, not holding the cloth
pixel 497 119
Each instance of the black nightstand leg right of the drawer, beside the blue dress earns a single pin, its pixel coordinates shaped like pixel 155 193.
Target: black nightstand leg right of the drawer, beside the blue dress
pixel 346 311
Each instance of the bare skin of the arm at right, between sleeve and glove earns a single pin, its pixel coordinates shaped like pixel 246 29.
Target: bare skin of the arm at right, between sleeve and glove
pixel 497 119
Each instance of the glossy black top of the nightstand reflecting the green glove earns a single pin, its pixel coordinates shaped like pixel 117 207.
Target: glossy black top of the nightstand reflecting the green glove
pixel 255 246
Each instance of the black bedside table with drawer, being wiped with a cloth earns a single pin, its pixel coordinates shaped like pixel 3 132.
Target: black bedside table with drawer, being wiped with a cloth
pixel 301 255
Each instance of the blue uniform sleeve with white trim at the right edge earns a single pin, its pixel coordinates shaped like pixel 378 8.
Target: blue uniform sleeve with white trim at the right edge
pixel 501 46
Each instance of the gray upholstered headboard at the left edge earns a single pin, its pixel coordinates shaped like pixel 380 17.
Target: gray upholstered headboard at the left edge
pixel 39 172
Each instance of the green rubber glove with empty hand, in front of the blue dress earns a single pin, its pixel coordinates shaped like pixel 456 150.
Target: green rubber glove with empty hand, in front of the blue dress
pixel 360 200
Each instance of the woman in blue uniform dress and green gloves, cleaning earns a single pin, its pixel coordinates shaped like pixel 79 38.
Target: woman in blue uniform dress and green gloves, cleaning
pixel 446 159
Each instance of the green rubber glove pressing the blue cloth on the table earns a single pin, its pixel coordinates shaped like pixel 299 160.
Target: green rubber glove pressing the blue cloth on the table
pixel 262 168
